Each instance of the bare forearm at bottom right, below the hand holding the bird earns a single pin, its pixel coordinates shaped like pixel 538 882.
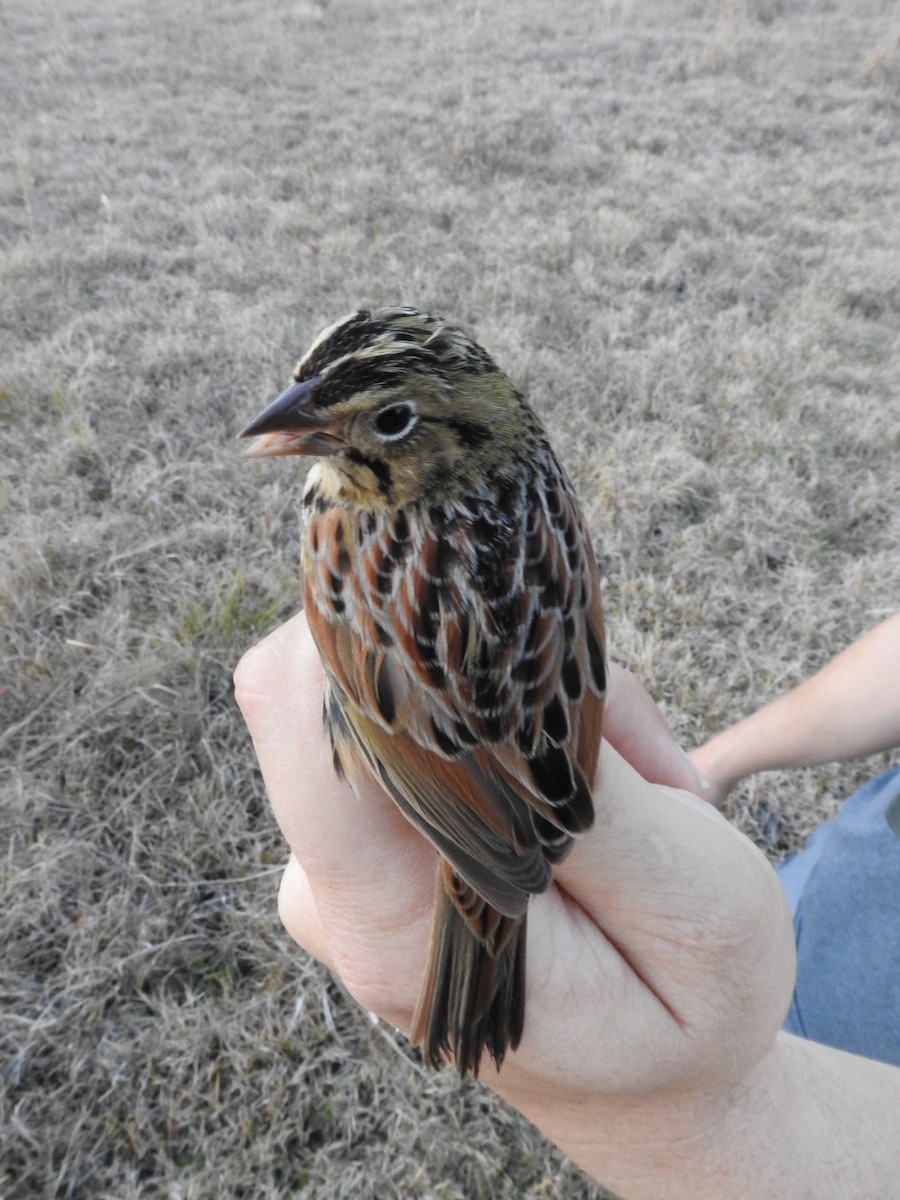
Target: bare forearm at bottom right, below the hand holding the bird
pixel 811 1123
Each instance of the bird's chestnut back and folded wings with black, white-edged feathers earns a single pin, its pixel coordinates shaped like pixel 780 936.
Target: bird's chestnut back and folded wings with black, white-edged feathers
pixel 465 647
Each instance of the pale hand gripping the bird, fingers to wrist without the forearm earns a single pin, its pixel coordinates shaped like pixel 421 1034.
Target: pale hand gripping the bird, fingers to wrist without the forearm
pixel 665 935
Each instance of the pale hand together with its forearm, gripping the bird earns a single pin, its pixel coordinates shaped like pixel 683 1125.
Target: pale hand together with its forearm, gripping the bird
pixel 661 964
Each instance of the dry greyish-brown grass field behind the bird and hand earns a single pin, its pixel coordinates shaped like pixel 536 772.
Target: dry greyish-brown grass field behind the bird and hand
pixel 676 225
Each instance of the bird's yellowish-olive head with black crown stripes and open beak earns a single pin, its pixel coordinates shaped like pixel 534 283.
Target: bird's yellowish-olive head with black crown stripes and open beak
pixel 401 406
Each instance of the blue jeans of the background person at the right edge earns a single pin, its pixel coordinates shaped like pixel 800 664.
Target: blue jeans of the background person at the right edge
pixel 844 890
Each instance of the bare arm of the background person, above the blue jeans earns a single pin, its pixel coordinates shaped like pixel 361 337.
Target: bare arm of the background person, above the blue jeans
pixel 850 709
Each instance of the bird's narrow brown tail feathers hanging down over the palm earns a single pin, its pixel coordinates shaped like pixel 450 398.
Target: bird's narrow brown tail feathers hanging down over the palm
pixel 473 995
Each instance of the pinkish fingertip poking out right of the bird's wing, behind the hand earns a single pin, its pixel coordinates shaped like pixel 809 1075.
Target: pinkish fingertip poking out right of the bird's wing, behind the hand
pixel 634 725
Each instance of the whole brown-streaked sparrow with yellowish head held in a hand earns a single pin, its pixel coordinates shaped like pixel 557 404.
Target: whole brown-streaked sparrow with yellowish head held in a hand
pixel 453 593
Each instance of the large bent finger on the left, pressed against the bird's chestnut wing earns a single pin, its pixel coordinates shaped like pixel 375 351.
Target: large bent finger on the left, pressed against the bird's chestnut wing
pixel 371 874
